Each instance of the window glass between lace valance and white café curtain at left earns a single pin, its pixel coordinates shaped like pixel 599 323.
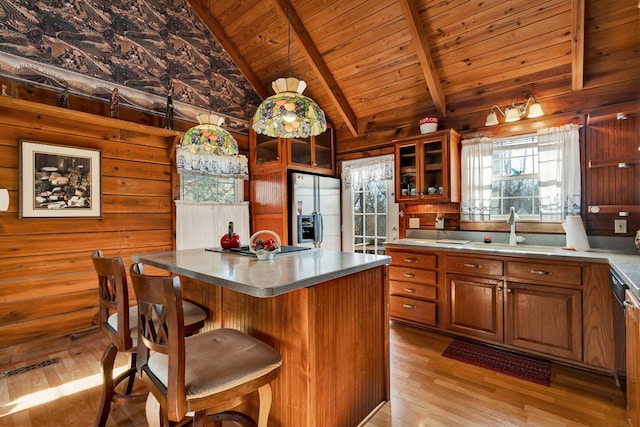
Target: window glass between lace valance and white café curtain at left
pixel 208 188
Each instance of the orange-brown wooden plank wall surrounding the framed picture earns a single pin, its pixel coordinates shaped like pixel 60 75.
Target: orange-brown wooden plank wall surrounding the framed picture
pixel 48 289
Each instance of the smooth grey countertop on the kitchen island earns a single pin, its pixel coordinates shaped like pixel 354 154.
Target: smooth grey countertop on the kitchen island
pixel 242 273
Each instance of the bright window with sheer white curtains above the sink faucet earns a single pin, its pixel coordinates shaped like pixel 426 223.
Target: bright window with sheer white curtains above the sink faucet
pixel 538 175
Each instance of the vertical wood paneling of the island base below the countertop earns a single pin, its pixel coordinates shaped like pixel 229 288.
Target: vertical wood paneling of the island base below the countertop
pixel 333 338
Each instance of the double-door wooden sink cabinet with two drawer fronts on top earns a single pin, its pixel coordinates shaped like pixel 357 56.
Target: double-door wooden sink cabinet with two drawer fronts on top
pixel 543 316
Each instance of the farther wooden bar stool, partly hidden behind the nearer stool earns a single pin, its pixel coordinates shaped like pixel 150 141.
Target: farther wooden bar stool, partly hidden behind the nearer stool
pixel 119 322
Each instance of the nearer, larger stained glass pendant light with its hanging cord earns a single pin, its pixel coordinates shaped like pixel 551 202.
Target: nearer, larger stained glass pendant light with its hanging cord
pixel 288 113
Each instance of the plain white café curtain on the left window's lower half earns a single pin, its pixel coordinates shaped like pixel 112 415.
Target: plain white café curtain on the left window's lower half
pixel 201 225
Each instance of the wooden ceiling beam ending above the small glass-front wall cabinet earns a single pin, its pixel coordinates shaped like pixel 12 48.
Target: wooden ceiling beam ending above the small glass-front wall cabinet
pixel 420 39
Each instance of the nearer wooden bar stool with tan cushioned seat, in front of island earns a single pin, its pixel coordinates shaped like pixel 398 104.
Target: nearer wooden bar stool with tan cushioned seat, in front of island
pixel 202 376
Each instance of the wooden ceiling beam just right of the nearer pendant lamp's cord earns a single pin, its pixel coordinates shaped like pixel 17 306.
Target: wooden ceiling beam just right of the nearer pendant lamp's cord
pixel 318 65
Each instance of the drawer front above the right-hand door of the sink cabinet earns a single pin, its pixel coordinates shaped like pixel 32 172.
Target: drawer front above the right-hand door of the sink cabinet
pixel 550 273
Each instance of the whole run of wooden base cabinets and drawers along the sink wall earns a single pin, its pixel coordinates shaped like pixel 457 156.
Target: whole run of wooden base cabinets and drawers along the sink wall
pixel 555 308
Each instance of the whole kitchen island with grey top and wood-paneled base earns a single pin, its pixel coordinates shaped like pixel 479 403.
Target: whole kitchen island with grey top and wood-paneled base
pixel 325 312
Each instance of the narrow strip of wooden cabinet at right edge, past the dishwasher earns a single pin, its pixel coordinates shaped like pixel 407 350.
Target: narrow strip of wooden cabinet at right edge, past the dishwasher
pixel 632 323
